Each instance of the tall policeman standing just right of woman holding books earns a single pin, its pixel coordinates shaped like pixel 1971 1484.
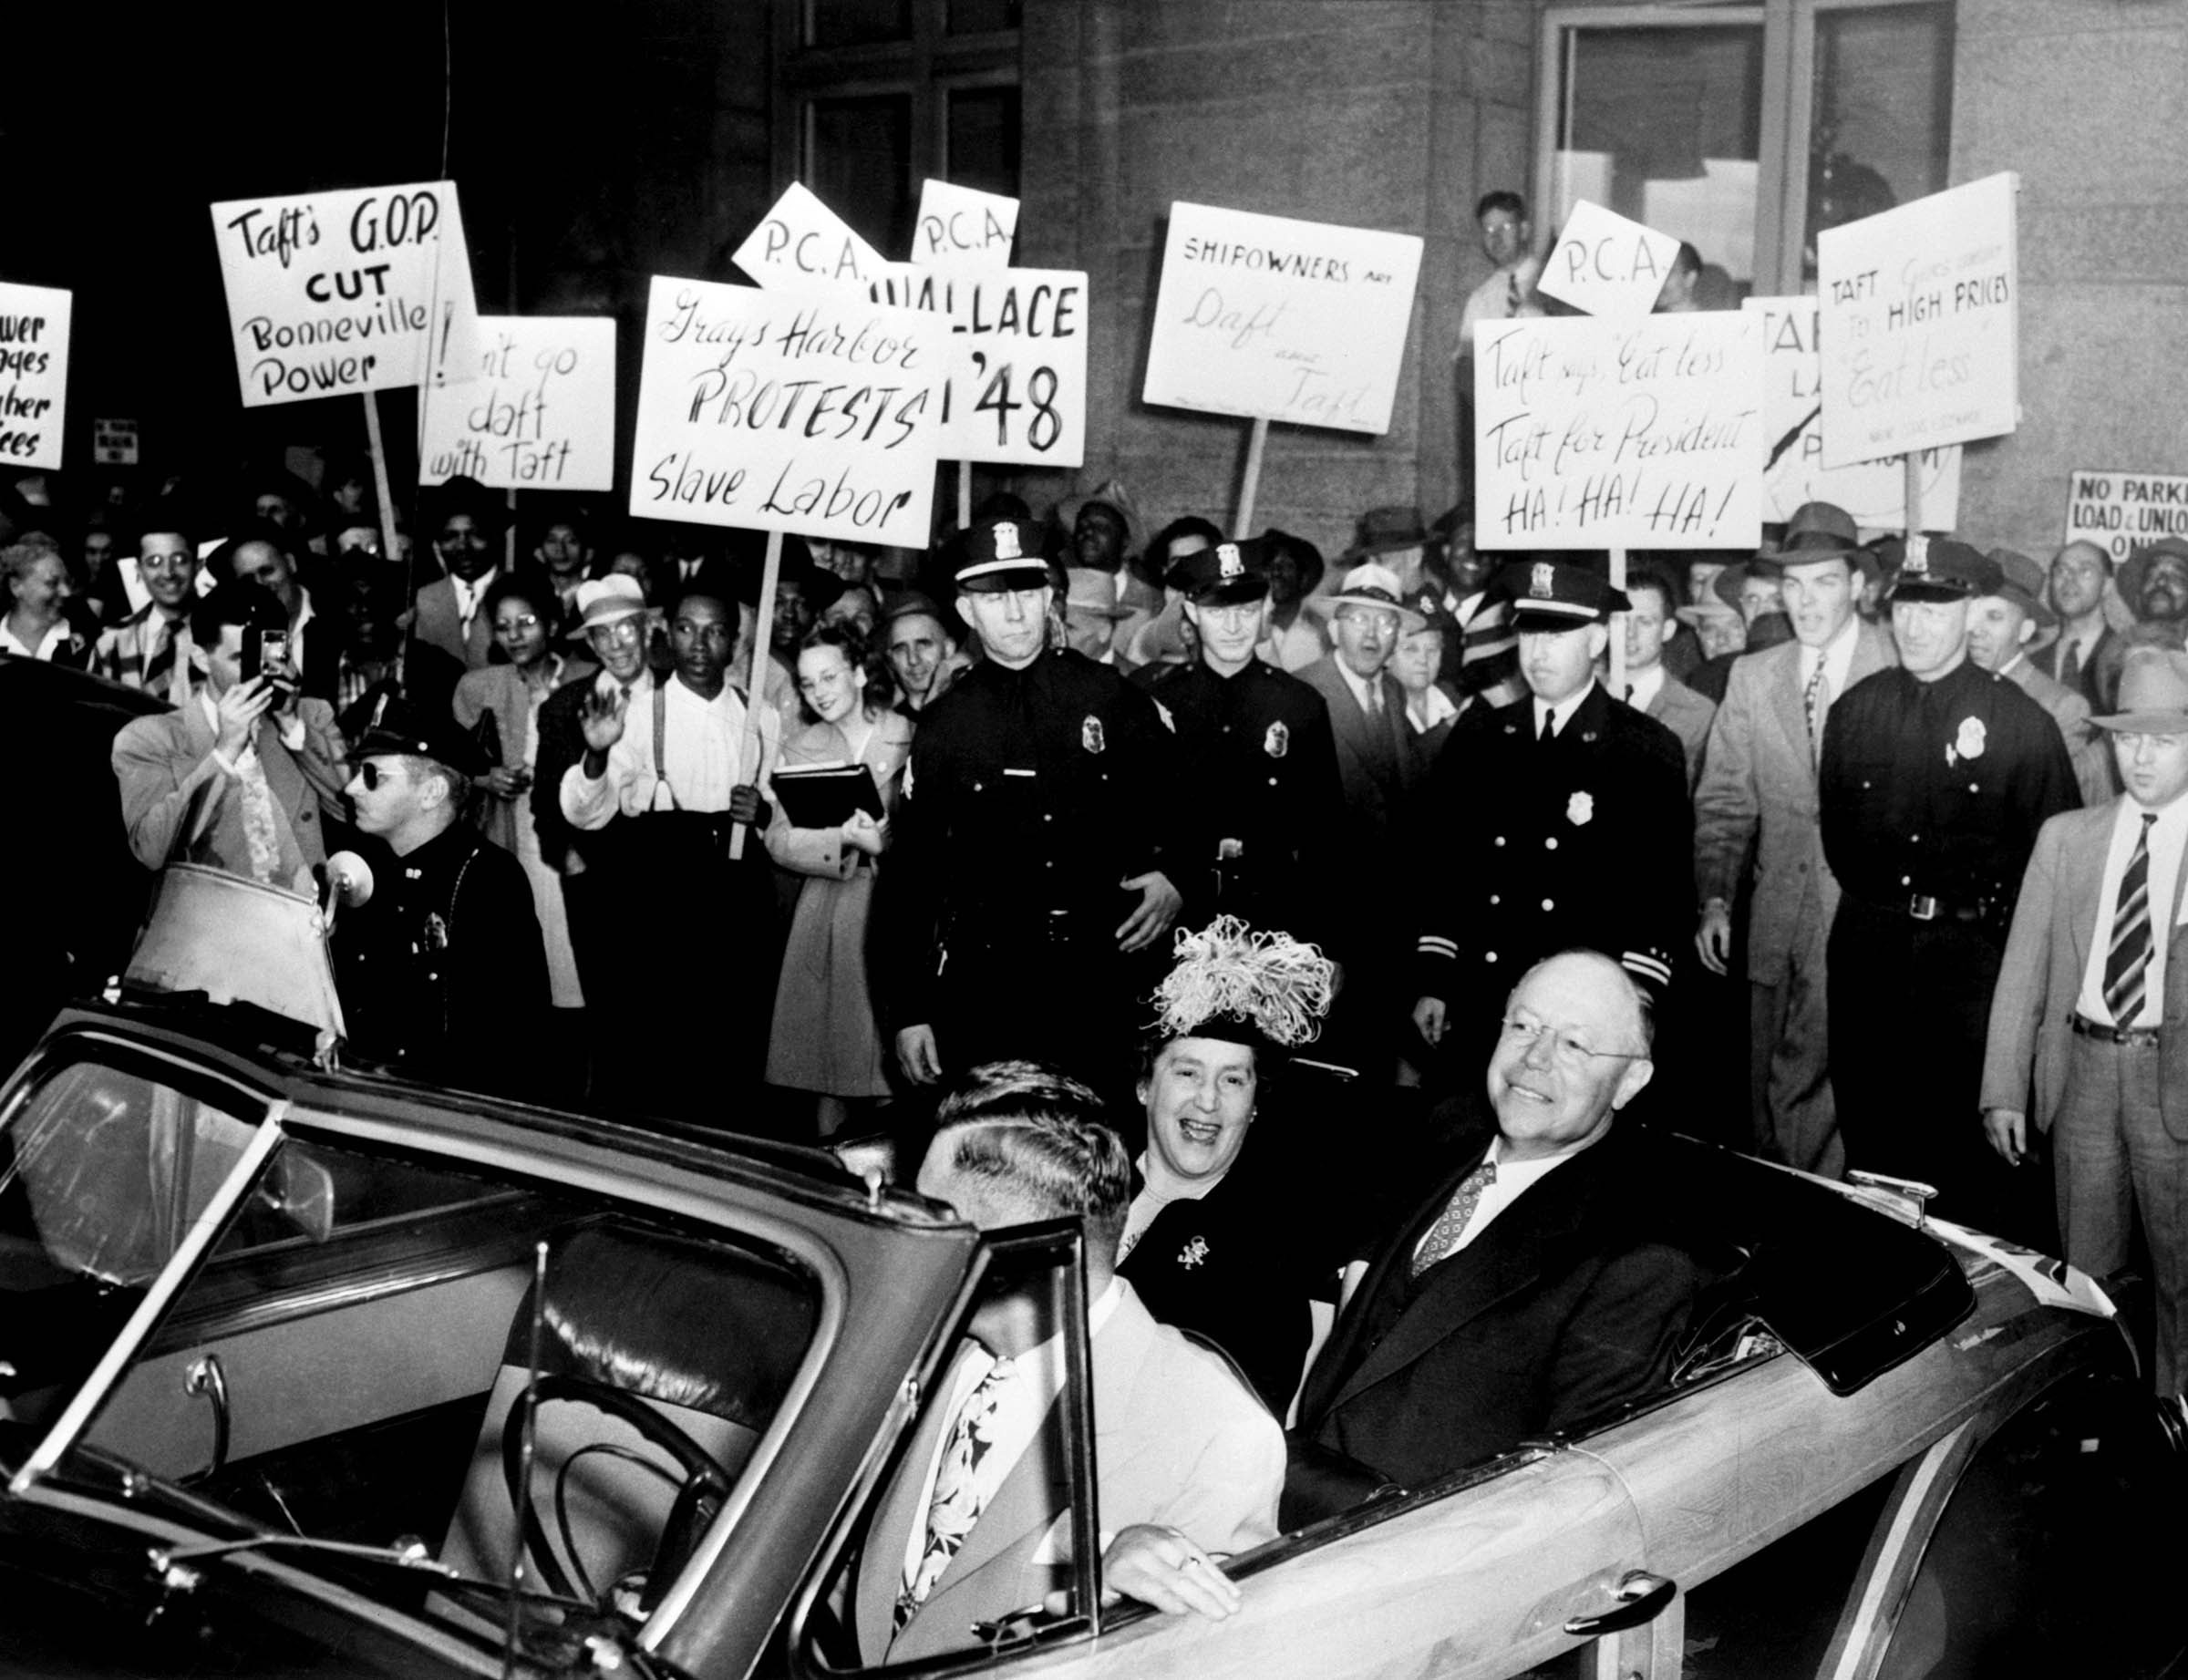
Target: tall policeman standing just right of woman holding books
pixel 1029 883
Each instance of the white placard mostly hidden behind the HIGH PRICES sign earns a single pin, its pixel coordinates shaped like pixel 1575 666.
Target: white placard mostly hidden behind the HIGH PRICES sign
pixel 1793 439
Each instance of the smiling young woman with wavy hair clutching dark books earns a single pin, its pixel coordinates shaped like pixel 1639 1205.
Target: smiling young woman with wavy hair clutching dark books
pixel 826 1040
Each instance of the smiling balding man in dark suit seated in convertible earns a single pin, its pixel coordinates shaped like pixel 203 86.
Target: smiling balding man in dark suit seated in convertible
pixel 1528 1292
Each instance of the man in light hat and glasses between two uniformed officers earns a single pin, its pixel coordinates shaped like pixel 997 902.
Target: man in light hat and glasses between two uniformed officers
pixel 1377 758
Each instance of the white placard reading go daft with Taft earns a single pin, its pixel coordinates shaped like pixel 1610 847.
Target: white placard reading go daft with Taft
pixel 542 412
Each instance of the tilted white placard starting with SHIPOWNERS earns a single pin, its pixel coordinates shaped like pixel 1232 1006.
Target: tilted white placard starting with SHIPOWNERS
pixel 1283 320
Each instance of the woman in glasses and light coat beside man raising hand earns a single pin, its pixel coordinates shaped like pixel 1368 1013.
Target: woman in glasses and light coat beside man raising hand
pixel 524 609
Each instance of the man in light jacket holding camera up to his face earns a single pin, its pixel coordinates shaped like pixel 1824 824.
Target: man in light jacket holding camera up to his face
pixel 246 773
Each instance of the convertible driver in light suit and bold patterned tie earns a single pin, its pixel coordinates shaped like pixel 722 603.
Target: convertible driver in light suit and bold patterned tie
pixel 977 1524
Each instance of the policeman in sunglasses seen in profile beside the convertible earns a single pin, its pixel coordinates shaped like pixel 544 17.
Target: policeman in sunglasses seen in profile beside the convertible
pixel 443 970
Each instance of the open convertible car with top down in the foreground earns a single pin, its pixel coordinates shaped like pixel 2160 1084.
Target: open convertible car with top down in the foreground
pixel 318 1373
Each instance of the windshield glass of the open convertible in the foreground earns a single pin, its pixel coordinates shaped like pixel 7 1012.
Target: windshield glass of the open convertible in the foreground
pixel 353 1362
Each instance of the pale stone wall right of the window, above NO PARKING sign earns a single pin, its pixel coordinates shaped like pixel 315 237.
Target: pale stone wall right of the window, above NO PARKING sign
pixel 2088 100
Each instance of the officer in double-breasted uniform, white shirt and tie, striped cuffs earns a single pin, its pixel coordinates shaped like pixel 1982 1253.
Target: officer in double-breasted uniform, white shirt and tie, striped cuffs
pixel 1561 821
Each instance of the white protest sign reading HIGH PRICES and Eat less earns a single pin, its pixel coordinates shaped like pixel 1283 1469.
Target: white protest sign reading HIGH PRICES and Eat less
pixel 1920 325
